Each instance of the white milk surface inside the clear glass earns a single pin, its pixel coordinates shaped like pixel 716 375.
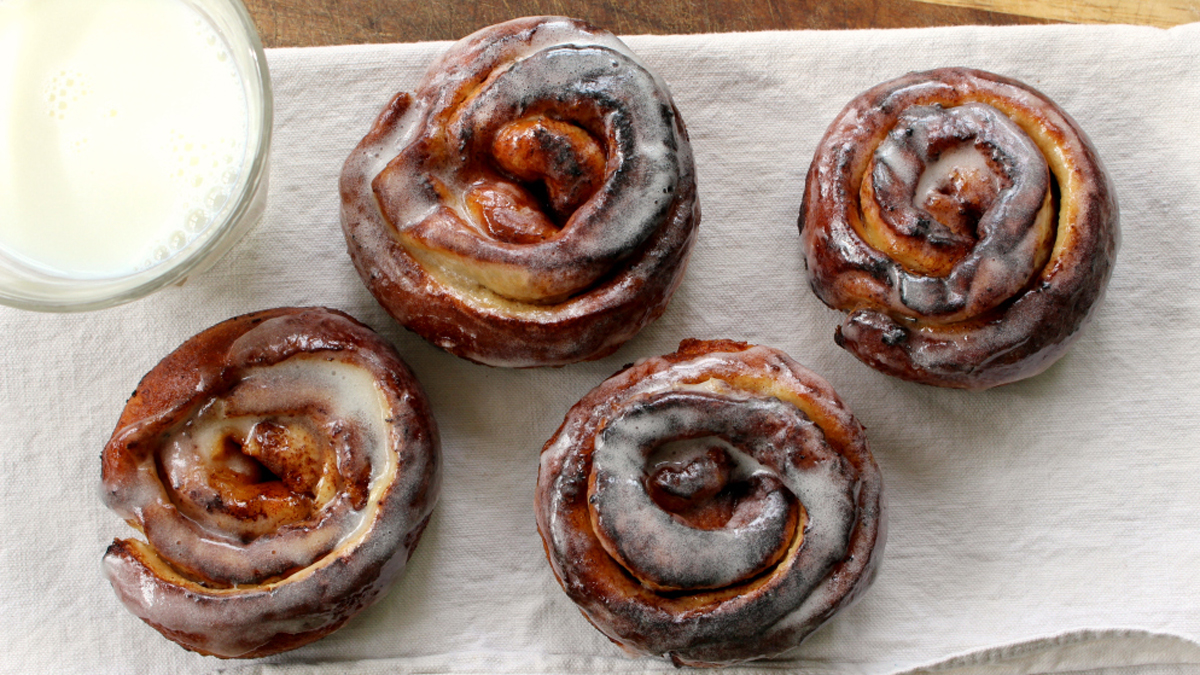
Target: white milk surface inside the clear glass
pixel 123 133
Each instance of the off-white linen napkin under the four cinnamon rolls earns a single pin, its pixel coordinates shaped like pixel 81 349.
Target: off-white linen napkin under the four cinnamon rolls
pixel 1049 515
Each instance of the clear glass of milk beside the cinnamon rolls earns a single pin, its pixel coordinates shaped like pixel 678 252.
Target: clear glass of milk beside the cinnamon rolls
pixel 134 146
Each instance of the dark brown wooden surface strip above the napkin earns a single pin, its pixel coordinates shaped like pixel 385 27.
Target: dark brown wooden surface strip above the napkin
pixel 305 23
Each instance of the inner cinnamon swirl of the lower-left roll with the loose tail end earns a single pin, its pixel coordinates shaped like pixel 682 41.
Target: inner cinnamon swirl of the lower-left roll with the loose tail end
pixel 269 481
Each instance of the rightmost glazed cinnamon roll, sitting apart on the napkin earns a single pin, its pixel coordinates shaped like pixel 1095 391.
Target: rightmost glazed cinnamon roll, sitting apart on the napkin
pixel 965 225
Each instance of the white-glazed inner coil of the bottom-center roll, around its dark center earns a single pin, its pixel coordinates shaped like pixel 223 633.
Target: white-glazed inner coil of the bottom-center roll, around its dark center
pixel 653 543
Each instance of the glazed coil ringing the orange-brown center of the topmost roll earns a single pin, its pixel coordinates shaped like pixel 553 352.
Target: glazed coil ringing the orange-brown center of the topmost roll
pixel 644 174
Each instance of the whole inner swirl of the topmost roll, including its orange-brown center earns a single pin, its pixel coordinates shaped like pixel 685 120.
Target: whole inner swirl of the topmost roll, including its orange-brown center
pixel 536 184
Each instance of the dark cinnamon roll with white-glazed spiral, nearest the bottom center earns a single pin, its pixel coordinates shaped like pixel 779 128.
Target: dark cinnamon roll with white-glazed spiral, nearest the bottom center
pixel 712 506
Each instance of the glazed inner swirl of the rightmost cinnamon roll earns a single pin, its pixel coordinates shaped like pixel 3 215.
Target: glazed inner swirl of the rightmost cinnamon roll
pixel 961 202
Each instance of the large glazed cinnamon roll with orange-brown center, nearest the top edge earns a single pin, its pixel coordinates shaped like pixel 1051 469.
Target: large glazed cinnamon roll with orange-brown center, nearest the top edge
pixel 532 204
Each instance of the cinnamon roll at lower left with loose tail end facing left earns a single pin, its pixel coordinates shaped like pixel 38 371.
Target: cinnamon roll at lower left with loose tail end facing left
pixel 281 467
